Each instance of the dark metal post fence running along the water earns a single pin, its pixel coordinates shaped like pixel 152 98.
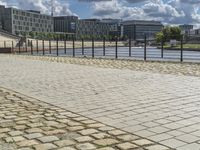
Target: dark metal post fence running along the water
pixel 104 49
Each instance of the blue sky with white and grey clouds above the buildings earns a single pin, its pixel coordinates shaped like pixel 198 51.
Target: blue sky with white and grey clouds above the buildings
pixel 167 11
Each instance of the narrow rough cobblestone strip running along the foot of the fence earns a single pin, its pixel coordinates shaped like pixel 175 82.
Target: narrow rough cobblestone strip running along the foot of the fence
pixel 175 68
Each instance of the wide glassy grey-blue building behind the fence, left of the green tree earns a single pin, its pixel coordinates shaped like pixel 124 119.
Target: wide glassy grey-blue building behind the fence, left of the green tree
pixel 137 29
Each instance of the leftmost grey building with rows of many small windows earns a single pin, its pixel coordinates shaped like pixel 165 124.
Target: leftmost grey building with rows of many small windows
pixel 17 21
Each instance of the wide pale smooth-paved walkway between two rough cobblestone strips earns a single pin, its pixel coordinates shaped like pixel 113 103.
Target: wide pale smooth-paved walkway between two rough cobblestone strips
pixel 160 107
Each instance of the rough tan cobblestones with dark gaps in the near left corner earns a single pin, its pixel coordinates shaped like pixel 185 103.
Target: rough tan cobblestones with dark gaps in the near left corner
pixel 27 124
